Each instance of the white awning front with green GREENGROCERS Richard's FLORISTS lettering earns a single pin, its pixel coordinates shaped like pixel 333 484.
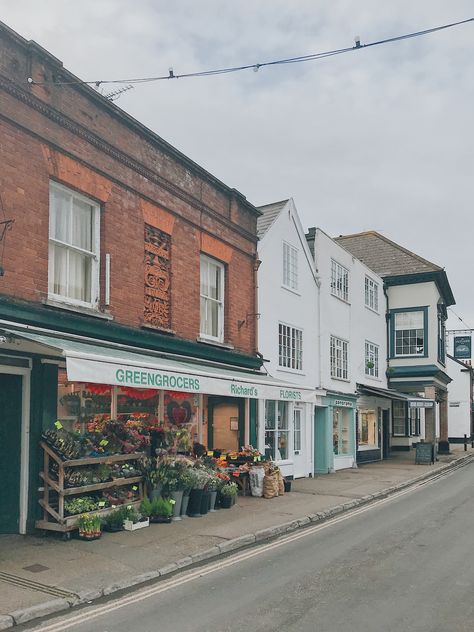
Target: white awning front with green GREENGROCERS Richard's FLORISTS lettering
pixel 88 370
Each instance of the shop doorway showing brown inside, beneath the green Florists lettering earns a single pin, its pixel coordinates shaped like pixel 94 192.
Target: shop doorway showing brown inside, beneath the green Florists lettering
pixel 226 427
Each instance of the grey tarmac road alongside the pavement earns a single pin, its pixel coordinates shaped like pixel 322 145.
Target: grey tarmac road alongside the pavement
pixel 403 565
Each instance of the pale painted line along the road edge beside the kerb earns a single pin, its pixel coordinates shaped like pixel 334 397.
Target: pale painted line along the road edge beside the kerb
pixel 188 576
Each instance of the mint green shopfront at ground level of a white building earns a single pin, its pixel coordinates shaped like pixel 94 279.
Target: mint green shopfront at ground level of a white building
pixel 335 433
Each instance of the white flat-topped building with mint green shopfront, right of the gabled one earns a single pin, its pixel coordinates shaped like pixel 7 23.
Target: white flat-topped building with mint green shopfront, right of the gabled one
pixel 352 357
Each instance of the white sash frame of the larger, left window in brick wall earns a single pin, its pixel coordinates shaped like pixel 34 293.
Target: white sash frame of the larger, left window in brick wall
pixel 94 254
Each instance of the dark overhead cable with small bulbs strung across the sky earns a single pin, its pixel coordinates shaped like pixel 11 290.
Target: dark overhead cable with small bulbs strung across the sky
pixel 256 66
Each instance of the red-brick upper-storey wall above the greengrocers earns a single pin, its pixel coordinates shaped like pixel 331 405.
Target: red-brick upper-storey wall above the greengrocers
pixel 89 145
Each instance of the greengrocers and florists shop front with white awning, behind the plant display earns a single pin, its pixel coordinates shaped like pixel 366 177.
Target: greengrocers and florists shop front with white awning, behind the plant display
pixel 88 389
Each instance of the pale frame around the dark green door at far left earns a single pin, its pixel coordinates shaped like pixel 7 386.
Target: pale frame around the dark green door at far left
pixel 25 373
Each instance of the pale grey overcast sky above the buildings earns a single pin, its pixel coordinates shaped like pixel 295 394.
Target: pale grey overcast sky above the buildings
pixel 378 139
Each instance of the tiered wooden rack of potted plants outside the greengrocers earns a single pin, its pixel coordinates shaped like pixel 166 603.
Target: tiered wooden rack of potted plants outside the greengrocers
pixel 86 477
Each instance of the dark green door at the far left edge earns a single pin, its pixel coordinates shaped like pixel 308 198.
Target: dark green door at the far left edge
pixel 10 451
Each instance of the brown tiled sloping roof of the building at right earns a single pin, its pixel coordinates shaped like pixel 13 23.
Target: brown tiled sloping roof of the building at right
pixel 384 256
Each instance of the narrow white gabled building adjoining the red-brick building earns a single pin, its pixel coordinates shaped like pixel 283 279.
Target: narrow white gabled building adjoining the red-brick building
pixel 288 336
